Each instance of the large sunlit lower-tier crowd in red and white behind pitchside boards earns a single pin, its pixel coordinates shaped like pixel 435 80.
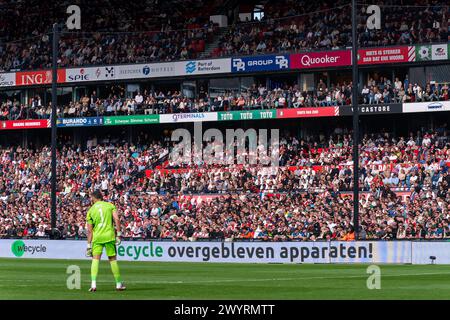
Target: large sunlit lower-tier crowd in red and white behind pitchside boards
pixel 304 199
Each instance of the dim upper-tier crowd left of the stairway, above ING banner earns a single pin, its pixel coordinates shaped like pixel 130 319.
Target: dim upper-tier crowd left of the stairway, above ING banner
pixel 115 32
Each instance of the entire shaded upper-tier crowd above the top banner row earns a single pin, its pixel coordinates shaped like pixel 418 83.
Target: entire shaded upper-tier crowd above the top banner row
pixel 153 30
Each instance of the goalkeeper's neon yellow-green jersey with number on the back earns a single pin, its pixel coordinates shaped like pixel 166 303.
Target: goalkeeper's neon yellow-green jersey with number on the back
pixel 100 215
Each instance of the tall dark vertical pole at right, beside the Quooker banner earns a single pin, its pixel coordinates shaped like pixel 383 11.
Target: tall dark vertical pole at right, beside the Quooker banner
pixel 355 107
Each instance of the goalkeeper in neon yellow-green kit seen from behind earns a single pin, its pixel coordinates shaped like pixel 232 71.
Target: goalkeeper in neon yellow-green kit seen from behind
pixel 101 219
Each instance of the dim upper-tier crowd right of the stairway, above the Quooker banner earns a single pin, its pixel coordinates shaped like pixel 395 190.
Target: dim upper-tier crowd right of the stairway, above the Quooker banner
pixel 292 26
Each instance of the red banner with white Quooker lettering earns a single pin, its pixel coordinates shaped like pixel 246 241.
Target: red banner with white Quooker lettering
pixel 321 59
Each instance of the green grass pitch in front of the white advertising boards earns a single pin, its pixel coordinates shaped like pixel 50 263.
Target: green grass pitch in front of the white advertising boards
pixel 46 279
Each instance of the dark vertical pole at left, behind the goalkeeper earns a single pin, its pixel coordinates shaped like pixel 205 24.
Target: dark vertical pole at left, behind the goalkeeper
pixel 53 126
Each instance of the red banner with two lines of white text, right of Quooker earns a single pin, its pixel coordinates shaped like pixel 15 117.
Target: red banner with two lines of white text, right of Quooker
pixel 387 55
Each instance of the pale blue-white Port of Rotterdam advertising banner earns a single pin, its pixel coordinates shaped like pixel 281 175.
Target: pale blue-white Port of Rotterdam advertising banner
pixel 195 67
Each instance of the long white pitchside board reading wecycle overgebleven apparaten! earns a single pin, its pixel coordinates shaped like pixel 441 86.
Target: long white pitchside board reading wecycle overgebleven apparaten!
pixel 403 252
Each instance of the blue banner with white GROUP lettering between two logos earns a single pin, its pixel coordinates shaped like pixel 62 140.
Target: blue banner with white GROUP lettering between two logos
pixel 260 63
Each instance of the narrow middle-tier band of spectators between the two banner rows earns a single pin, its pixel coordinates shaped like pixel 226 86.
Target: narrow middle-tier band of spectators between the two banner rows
pixel 381 91
